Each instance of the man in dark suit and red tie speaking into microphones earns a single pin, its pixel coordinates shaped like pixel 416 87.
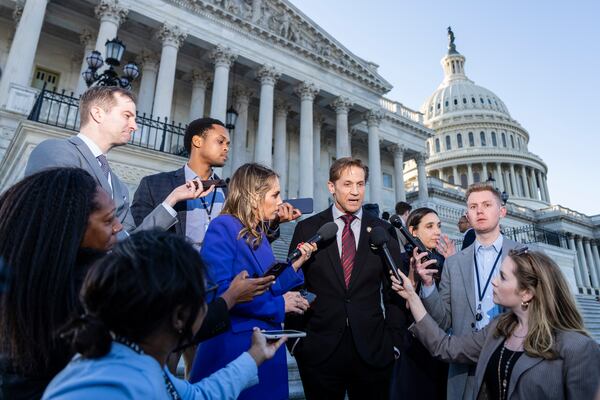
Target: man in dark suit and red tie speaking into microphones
pixel 353 326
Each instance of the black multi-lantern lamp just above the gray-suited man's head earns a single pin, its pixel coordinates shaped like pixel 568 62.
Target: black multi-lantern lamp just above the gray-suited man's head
pixel 114 52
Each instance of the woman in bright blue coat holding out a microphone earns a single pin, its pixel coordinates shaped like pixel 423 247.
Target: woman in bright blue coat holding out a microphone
pixel 236 241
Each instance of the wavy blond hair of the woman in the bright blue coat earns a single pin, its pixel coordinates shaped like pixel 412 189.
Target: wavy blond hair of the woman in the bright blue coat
pixel 247 190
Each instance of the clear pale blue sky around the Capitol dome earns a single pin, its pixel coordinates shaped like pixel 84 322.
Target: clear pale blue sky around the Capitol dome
pixel 542 58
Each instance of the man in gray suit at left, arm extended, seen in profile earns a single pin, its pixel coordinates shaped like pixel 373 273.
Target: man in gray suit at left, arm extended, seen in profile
pixel 107 117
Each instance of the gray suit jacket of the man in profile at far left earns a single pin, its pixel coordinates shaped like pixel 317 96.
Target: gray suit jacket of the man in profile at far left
pixel 73 152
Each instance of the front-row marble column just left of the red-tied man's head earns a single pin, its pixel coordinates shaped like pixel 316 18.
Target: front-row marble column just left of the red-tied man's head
pixel 307 92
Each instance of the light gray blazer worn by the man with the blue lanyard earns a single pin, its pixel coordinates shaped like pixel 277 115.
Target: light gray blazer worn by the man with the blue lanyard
pixel 453 305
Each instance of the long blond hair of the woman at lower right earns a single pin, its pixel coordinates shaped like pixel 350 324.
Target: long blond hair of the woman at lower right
pixel 551 309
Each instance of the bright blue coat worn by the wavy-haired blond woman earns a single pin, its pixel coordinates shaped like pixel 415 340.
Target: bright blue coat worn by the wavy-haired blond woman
pixel 225 256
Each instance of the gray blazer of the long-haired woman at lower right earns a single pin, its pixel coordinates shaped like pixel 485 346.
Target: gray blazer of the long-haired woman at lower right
pixel 574 374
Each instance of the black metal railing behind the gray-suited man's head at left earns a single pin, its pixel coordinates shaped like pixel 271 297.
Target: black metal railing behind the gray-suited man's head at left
pixel 62 110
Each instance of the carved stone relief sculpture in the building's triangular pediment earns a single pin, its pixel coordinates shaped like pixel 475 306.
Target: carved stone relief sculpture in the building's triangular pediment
pixel 279 22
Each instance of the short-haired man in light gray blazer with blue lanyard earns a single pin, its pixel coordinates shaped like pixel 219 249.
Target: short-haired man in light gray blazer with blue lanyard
pixel 463 303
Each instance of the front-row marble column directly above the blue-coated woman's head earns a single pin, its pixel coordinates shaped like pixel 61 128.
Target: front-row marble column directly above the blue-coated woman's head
pixel 268 76
